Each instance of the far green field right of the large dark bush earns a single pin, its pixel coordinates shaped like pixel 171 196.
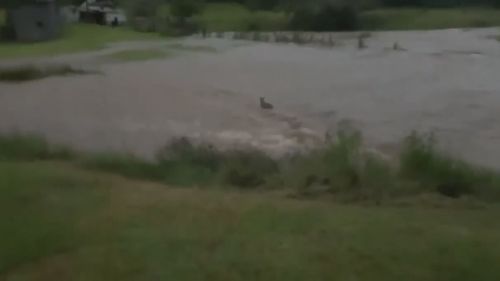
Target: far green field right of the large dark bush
pixel 404 19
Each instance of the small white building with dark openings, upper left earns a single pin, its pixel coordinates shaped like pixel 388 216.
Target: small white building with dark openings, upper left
pixel 102 12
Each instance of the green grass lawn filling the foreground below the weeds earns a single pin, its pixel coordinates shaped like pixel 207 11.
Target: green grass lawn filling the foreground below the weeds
pixel 63 223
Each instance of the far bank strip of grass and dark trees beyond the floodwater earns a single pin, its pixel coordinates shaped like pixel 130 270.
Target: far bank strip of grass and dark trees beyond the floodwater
pixel 180 17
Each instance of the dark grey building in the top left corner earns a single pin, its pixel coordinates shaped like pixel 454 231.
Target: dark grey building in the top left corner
pixel 38 20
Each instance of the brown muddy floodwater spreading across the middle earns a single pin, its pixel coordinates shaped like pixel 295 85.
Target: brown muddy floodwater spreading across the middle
pixel 446 82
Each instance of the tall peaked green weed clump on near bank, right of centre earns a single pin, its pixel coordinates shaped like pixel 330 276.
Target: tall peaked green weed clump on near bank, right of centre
pixel 344 170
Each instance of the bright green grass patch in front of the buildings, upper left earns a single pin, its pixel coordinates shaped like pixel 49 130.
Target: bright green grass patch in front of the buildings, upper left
pixel 77 38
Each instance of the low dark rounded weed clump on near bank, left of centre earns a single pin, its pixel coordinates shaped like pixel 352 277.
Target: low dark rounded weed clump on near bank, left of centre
pixel 187 163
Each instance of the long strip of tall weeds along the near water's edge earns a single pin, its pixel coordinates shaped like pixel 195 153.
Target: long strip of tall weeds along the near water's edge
pixel 342 169
